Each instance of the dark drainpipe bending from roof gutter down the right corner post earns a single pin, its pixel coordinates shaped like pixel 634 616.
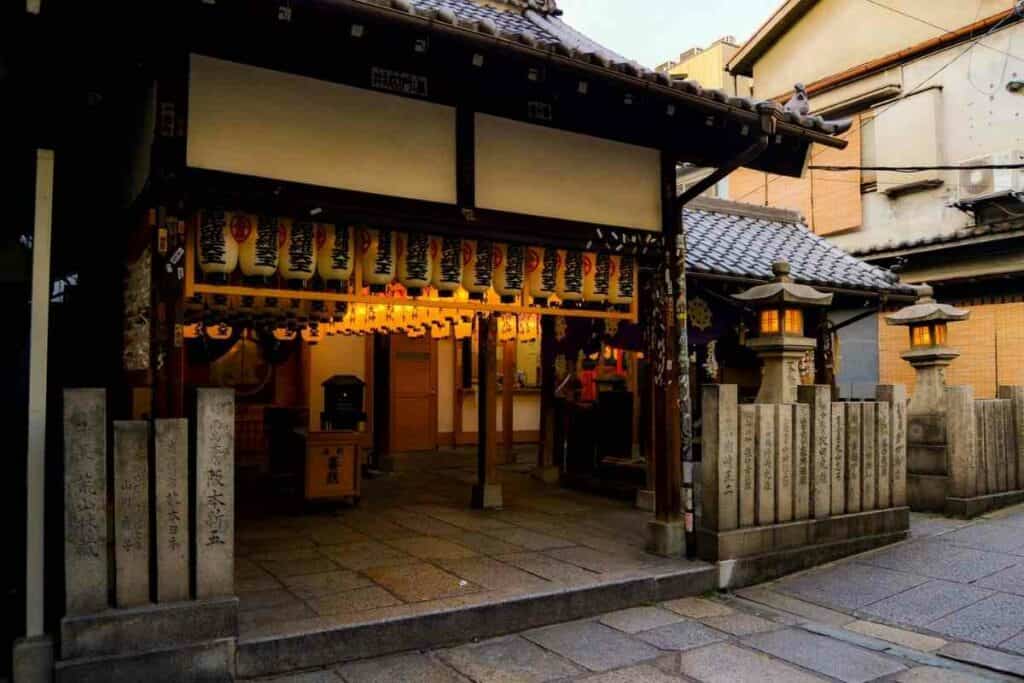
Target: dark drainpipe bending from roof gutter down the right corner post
pixel 677 275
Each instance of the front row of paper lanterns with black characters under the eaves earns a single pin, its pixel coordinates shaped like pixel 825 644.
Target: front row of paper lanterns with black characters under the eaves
pixel 262 248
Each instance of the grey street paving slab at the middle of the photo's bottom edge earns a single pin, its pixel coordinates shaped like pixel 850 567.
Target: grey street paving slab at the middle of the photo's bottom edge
pixel 508 660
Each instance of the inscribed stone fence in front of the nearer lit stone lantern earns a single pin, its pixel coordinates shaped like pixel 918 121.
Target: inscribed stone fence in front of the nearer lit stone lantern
pixel 790 486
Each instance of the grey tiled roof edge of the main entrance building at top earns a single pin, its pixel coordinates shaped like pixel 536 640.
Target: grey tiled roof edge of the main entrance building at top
pixel 545 30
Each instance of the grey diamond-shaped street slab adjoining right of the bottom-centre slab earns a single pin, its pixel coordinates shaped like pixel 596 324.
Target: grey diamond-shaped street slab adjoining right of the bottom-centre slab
pixel 592 646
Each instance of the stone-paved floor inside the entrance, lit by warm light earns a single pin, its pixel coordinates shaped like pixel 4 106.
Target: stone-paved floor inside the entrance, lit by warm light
pixel 414 546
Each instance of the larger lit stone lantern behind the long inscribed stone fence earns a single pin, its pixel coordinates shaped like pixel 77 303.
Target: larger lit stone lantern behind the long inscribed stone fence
pixel 781 343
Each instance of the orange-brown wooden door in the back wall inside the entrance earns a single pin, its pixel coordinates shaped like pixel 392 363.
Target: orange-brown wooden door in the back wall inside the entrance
pixel 414 394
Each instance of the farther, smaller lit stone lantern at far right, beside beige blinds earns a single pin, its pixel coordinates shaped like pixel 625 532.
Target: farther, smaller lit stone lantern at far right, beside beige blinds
pixel 929 355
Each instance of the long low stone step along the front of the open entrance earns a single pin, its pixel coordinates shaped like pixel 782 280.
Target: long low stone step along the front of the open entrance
pixel 310 650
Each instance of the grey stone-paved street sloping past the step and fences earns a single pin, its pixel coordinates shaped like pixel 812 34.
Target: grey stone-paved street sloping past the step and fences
pixel 946 606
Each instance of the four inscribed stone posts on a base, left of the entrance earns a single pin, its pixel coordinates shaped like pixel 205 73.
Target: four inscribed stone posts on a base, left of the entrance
pixel 149 565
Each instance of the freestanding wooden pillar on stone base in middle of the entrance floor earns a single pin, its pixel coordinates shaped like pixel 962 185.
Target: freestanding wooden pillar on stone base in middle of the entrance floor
pixel 488 492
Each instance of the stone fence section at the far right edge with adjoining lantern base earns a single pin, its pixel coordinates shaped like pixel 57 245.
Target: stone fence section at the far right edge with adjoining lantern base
pixel 984 445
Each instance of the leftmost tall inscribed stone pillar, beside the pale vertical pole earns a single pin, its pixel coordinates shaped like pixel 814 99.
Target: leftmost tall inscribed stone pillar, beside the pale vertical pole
pixel 87 560
